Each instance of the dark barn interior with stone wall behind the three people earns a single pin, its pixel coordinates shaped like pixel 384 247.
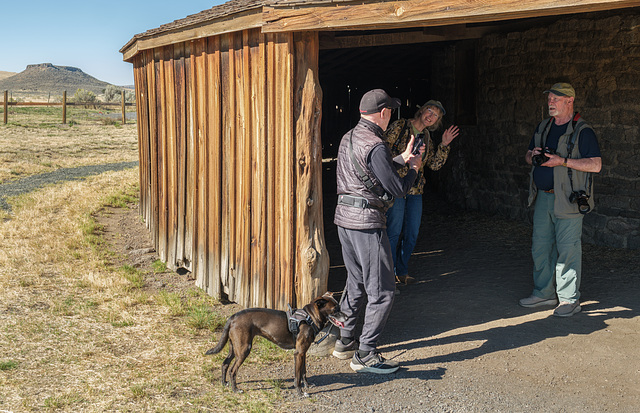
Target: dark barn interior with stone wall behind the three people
pixel 490 78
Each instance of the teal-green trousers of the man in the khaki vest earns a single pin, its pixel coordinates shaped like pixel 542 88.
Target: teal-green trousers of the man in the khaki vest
pixel 557 252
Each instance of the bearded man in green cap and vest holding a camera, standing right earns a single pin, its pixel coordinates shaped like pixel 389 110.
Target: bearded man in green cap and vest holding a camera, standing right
pixel 564 153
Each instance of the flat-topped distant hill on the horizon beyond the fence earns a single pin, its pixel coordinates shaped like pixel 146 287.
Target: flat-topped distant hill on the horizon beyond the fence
pixel 48 78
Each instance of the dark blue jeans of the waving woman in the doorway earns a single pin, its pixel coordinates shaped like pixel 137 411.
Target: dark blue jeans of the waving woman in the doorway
pixel 403 226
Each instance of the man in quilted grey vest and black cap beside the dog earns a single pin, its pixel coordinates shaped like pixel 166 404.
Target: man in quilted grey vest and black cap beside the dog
pixel 367 182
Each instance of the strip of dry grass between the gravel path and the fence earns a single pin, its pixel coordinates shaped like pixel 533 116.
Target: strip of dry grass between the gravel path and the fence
pixel 35 140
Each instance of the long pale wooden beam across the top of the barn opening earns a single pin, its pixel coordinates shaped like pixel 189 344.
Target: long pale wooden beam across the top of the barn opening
pixel 416 13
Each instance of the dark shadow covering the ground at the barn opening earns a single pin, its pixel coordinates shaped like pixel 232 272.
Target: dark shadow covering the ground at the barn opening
pixel 472 268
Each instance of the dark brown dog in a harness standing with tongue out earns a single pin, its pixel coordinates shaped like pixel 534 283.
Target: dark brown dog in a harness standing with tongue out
pixel 273 325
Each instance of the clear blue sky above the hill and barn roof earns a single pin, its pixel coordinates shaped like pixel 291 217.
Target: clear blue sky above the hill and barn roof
pixel 83 33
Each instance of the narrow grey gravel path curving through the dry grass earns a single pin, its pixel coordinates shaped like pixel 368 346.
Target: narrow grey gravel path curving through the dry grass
pixel 28 184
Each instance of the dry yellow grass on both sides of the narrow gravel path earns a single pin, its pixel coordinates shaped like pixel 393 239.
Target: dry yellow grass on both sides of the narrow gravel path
pixel 78 335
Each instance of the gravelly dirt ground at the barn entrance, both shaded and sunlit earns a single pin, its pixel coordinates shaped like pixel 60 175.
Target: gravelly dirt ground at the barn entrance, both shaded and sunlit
pixel 463 343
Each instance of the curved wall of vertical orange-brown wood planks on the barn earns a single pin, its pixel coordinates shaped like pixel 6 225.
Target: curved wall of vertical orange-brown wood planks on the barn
pixel 230 163
